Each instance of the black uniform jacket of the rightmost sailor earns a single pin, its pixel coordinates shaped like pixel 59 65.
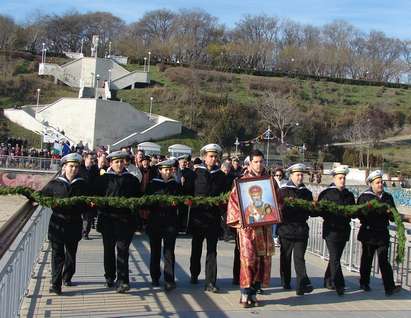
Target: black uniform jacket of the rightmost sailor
pixel 374 225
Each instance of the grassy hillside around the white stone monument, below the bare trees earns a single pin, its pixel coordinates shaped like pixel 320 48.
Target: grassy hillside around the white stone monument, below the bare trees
pixel 212 104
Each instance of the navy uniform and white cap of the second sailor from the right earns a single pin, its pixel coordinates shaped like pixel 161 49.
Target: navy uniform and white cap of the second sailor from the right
pixel 336 232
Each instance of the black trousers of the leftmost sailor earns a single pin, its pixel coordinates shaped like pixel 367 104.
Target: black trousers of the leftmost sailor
pixel 63 261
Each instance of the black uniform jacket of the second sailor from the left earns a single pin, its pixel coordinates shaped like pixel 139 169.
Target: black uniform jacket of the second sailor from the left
pixel 111 184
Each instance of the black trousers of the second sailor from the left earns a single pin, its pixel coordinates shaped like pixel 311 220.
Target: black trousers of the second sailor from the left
pixel 119 264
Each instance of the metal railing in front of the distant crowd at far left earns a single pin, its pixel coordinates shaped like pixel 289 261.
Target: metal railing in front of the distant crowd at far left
pixel 29 163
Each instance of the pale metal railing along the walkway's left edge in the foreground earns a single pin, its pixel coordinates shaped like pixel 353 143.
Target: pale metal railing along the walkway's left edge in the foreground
pixel 17 264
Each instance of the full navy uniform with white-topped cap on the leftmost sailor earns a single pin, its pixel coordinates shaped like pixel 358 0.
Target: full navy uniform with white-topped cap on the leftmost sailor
pixel 65 226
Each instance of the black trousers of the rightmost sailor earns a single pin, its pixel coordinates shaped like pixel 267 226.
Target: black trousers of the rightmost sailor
pixel 368 251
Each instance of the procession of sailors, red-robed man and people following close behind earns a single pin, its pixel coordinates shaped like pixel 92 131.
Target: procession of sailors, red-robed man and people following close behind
pixel 121 174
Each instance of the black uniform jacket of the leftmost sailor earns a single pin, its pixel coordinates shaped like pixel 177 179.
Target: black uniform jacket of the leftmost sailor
pixel 65 223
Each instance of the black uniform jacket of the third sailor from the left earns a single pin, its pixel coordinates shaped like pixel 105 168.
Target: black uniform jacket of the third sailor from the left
pixel 163 216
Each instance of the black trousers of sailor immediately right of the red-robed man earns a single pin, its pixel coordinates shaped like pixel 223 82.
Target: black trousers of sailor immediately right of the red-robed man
pixel 296 248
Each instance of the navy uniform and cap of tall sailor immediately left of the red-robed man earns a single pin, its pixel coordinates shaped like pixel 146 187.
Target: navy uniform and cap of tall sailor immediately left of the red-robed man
pixel 205 221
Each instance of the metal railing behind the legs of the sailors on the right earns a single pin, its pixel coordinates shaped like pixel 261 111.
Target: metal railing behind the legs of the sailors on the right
pixel 351 258
